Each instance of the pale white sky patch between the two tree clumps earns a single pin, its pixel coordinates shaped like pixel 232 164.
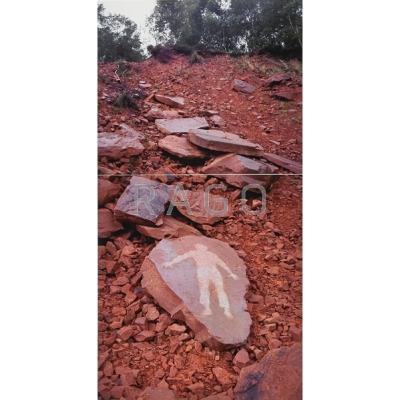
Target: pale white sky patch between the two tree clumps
pixel 136 10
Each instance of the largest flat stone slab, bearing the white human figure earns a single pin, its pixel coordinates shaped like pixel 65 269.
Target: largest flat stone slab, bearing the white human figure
pixel 203 282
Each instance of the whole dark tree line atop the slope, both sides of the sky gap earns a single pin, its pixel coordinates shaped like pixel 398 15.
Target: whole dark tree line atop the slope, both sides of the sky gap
pixel 229 26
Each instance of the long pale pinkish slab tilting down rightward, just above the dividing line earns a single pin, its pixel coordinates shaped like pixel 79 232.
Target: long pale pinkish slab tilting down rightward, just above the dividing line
pixel 224 141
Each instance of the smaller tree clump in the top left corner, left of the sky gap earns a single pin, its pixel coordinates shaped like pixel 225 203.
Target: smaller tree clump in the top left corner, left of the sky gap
pixel 118 38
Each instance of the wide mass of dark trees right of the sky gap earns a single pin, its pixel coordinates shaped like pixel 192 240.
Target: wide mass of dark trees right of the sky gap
pixel 231 26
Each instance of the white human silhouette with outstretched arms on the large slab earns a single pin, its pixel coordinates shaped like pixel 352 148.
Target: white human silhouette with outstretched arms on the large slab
pixel 207 273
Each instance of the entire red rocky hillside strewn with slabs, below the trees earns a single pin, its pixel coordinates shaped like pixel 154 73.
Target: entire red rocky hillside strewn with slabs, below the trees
pixel 164 332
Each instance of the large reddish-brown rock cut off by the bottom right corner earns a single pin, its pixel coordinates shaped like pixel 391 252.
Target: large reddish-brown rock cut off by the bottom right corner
pixel 278 376
